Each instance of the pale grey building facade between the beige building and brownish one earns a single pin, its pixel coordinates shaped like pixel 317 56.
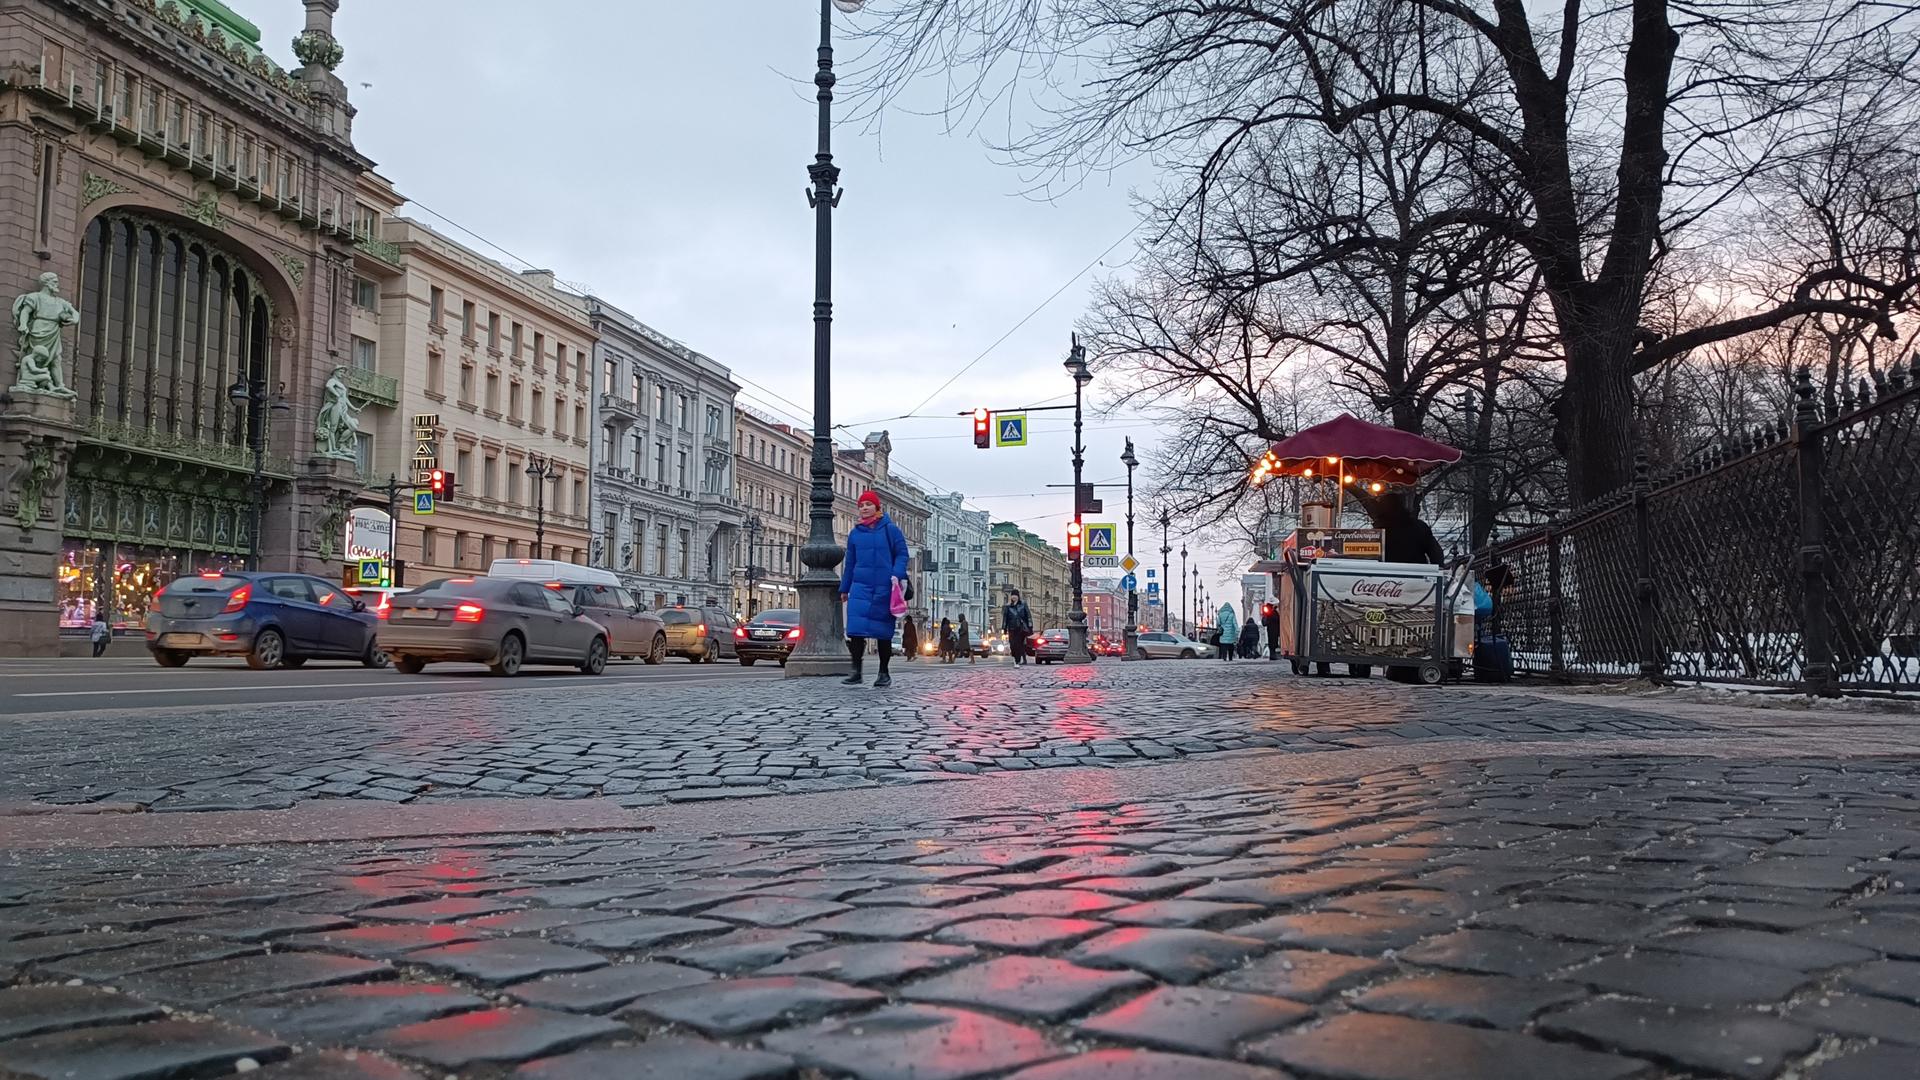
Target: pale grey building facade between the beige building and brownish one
pixel 663 499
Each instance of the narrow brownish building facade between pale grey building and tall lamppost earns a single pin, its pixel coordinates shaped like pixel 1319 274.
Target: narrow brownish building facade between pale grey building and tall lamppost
pixel 771 485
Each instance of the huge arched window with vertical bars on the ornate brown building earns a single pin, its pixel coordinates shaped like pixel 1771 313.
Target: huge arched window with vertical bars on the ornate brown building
pixel 168 324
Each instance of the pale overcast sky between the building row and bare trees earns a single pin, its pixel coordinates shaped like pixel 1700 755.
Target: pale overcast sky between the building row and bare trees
pixel 658 155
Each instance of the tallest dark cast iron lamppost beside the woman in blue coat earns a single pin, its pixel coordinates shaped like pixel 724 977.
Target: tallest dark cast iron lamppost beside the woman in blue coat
pixel 823 618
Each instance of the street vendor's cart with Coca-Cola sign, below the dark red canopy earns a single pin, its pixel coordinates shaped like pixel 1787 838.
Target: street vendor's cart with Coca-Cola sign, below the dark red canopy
pixel 1364 614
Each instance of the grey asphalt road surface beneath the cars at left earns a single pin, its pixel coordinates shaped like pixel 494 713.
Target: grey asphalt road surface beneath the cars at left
pixel 70 685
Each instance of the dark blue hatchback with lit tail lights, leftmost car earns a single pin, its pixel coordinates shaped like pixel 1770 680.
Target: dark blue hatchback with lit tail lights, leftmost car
pixel 274 620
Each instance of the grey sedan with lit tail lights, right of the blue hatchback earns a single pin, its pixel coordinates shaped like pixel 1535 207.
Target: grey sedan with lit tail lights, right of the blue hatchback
pixel 502 624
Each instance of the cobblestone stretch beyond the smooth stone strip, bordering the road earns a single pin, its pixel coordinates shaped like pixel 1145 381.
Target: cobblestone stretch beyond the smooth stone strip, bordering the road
pixel 711 743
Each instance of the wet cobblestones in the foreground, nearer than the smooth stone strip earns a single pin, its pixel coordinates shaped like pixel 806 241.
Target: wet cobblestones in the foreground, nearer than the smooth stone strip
pixel 1504 920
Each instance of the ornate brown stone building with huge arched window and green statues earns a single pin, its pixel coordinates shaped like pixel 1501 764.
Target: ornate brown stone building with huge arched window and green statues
pixel 201 210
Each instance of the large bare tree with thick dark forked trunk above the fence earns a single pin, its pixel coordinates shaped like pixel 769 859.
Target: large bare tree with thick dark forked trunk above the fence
pixel 1608 135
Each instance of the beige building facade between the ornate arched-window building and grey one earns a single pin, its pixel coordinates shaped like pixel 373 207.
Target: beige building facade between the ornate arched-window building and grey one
pixel 492 387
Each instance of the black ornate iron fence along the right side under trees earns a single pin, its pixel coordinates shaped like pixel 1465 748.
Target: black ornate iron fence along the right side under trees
pixel 1788 558
